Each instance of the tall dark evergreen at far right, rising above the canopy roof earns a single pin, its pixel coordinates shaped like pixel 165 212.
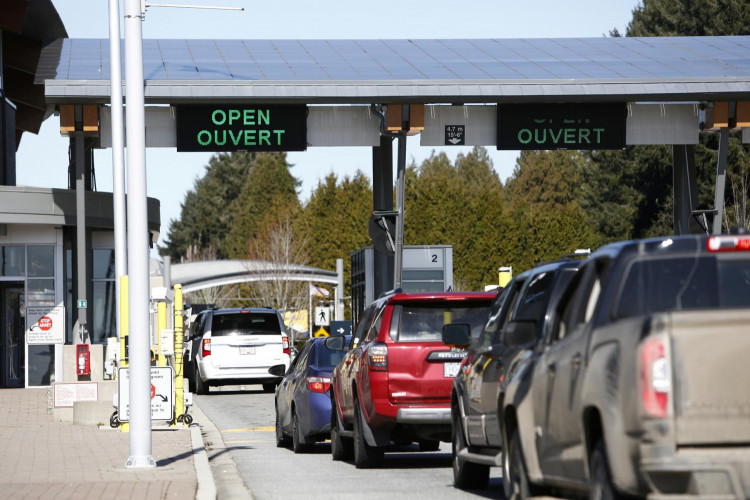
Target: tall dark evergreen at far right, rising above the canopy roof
pixel 644 174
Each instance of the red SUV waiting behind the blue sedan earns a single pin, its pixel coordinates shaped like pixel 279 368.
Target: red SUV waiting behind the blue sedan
pixel 394 383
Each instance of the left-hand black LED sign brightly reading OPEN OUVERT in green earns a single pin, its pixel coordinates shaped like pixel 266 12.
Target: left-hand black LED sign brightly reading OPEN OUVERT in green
pixel 241 128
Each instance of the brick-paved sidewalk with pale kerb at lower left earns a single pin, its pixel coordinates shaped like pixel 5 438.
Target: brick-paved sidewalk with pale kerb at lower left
pixel 44 458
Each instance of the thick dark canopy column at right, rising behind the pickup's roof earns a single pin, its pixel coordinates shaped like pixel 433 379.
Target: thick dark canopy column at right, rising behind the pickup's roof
pixel 685 189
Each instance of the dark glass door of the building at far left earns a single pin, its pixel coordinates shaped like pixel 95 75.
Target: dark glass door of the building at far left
pixel 12 332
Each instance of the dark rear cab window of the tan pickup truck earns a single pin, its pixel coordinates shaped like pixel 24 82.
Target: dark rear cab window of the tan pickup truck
pixel 660 285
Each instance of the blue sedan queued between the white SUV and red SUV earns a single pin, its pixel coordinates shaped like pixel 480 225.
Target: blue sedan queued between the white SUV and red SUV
pixel 303 400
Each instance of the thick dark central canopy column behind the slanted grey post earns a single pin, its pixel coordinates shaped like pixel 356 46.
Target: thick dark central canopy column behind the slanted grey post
pixel 382 200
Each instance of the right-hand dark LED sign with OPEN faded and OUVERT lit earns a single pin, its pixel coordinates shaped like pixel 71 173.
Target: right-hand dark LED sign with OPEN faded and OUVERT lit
pixel 561 126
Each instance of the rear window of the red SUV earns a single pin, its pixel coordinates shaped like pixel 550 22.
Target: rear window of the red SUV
pixel 424 323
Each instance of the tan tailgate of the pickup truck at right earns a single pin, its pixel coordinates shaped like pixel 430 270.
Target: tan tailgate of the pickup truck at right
pixel 711 368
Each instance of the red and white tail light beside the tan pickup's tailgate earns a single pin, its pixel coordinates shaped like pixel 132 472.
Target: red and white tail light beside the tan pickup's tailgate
pixel 656 383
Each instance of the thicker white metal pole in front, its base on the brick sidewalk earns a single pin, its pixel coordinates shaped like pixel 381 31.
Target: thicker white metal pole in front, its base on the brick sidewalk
pixel 138 244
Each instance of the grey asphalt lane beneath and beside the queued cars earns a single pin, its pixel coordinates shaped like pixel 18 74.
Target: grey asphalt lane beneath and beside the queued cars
pixel 245 417
